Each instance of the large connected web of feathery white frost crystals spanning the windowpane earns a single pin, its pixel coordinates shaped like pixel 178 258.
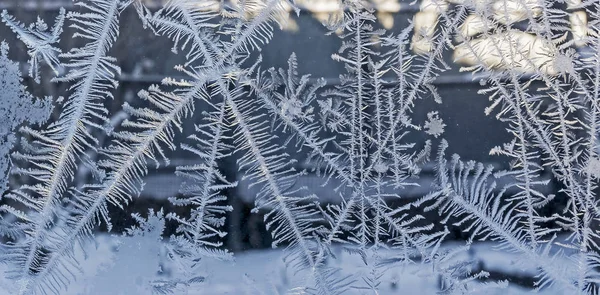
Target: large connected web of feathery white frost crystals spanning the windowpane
pixel 357 138
